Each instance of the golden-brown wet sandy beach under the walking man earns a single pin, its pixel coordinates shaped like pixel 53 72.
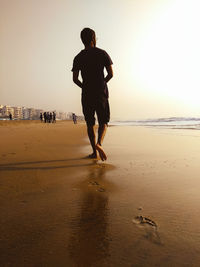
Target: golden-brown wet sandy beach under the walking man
pixel 58 208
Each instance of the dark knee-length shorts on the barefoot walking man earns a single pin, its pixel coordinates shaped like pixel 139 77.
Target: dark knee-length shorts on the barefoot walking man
pixel 99 105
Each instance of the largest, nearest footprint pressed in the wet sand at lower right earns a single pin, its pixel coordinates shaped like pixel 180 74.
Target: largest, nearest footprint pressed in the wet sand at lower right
pixel 150 228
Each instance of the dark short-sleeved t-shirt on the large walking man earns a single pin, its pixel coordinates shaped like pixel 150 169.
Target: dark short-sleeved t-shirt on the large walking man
pixel 91 63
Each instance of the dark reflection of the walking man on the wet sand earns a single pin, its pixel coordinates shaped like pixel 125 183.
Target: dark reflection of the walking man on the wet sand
pixel 89 242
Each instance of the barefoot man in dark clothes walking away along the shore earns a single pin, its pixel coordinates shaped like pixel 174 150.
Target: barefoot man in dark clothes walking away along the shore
pixel 91 63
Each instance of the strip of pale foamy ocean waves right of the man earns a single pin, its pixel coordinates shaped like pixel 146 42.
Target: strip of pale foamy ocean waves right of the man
pixel 170 123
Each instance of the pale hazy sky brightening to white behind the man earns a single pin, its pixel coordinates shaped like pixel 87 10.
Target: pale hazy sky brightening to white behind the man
pixel 154 46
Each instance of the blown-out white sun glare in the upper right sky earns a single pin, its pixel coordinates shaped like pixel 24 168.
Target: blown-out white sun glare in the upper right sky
pixel 169 56
